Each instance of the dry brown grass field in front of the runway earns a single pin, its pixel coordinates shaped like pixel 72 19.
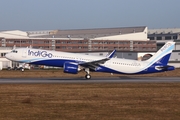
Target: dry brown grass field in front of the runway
pixel 90 101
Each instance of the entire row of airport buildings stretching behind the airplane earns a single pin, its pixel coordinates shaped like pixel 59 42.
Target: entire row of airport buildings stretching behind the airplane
pixel 130 42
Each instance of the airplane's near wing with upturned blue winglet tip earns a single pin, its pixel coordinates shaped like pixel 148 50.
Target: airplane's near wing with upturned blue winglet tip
pixel 94 64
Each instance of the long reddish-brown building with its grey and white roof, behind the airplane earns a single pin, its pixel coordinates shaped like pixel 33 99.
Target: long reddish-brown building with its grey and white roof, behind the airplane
pixel 104 39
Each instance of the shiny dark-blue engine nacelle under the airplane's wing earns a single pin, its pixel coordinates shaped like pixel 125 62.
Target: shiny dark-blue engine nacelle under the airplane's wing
pixel 70 67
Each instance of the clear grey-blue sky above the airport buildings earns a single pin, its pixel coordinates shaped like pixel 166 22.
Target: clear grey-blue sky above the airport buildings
pixel 32 15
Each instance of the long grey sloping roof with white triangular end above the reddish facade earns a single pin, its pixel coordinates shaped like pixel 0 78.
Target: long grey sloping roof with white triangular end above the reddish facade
pixel 126 33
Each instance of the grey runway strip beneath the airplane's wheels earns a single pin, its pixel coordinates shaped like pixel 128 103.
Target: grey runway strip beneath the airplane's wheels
pixel 93 80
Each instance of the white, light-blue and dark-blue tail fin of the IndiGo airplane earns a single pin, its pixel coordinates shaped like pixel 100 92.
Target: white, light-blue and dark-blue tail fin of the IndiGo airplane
pixel 163 55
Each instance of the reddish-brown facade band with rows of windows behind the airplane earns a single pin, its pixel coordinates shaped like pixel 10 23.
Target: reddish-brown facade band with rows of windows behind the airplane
pixel 81 45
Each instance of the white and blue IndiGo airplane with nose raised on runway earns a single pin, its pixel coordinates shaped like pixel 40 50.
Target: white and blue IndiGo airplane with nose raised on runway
pixel 74 62
